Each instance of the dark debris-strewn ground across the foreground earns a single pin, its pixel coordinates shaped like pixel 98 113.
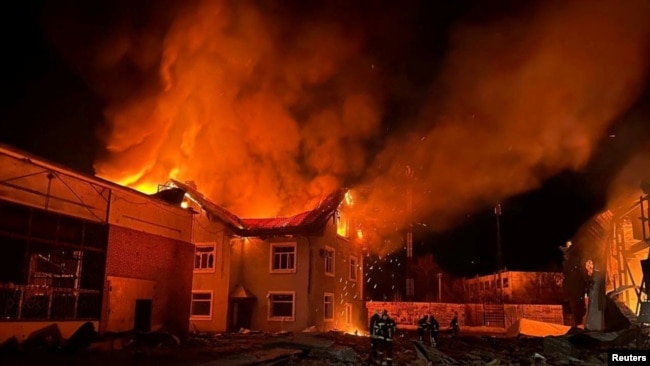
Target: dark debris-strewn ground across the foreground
pixel 331 348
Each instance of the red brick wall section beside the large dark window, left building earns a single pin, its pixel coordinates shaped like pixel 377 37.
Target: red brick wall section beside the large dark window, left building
pixel 169 262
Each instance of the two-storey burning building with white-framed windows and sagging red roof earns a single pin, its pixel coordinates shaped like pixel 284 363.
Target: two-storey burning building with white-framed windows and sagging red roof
pixel 275 274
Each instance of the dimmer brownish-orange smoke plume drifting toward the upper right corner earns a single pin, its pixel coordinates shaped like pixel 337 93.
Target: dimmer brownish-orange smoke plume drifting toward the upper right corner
pixel 521 100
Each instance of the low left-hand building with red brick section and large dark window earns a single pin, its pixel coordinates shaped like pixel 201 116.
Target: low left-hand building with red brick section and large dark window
pixel 78 249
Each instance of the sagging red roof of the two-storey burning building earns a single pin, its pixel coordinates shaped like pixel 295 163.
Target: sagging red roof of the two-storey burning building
pixel 310 222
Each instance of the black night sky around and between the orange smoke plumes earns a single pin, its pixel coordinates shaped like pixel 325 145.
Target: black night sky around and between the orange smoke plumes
pixel 53 104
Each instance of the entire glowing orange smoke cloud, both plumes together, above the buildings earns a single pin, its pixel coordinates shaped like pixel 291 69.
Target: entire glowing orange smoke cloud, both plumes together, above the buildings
pixel 267 108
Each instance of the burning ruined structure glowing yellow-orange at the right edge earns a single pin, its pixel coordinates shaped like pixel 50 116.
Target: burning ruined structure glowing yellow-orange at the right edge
pixel 607 251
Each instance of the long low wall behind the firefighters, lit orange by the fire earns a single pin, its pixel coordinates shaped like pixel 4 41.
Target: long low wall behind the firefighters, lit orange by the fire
pixel 493 315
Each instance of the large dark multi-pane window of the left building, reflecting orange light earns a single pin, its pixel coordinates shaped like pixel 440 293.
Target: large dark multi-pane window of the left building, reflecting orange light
pixel 48 271
